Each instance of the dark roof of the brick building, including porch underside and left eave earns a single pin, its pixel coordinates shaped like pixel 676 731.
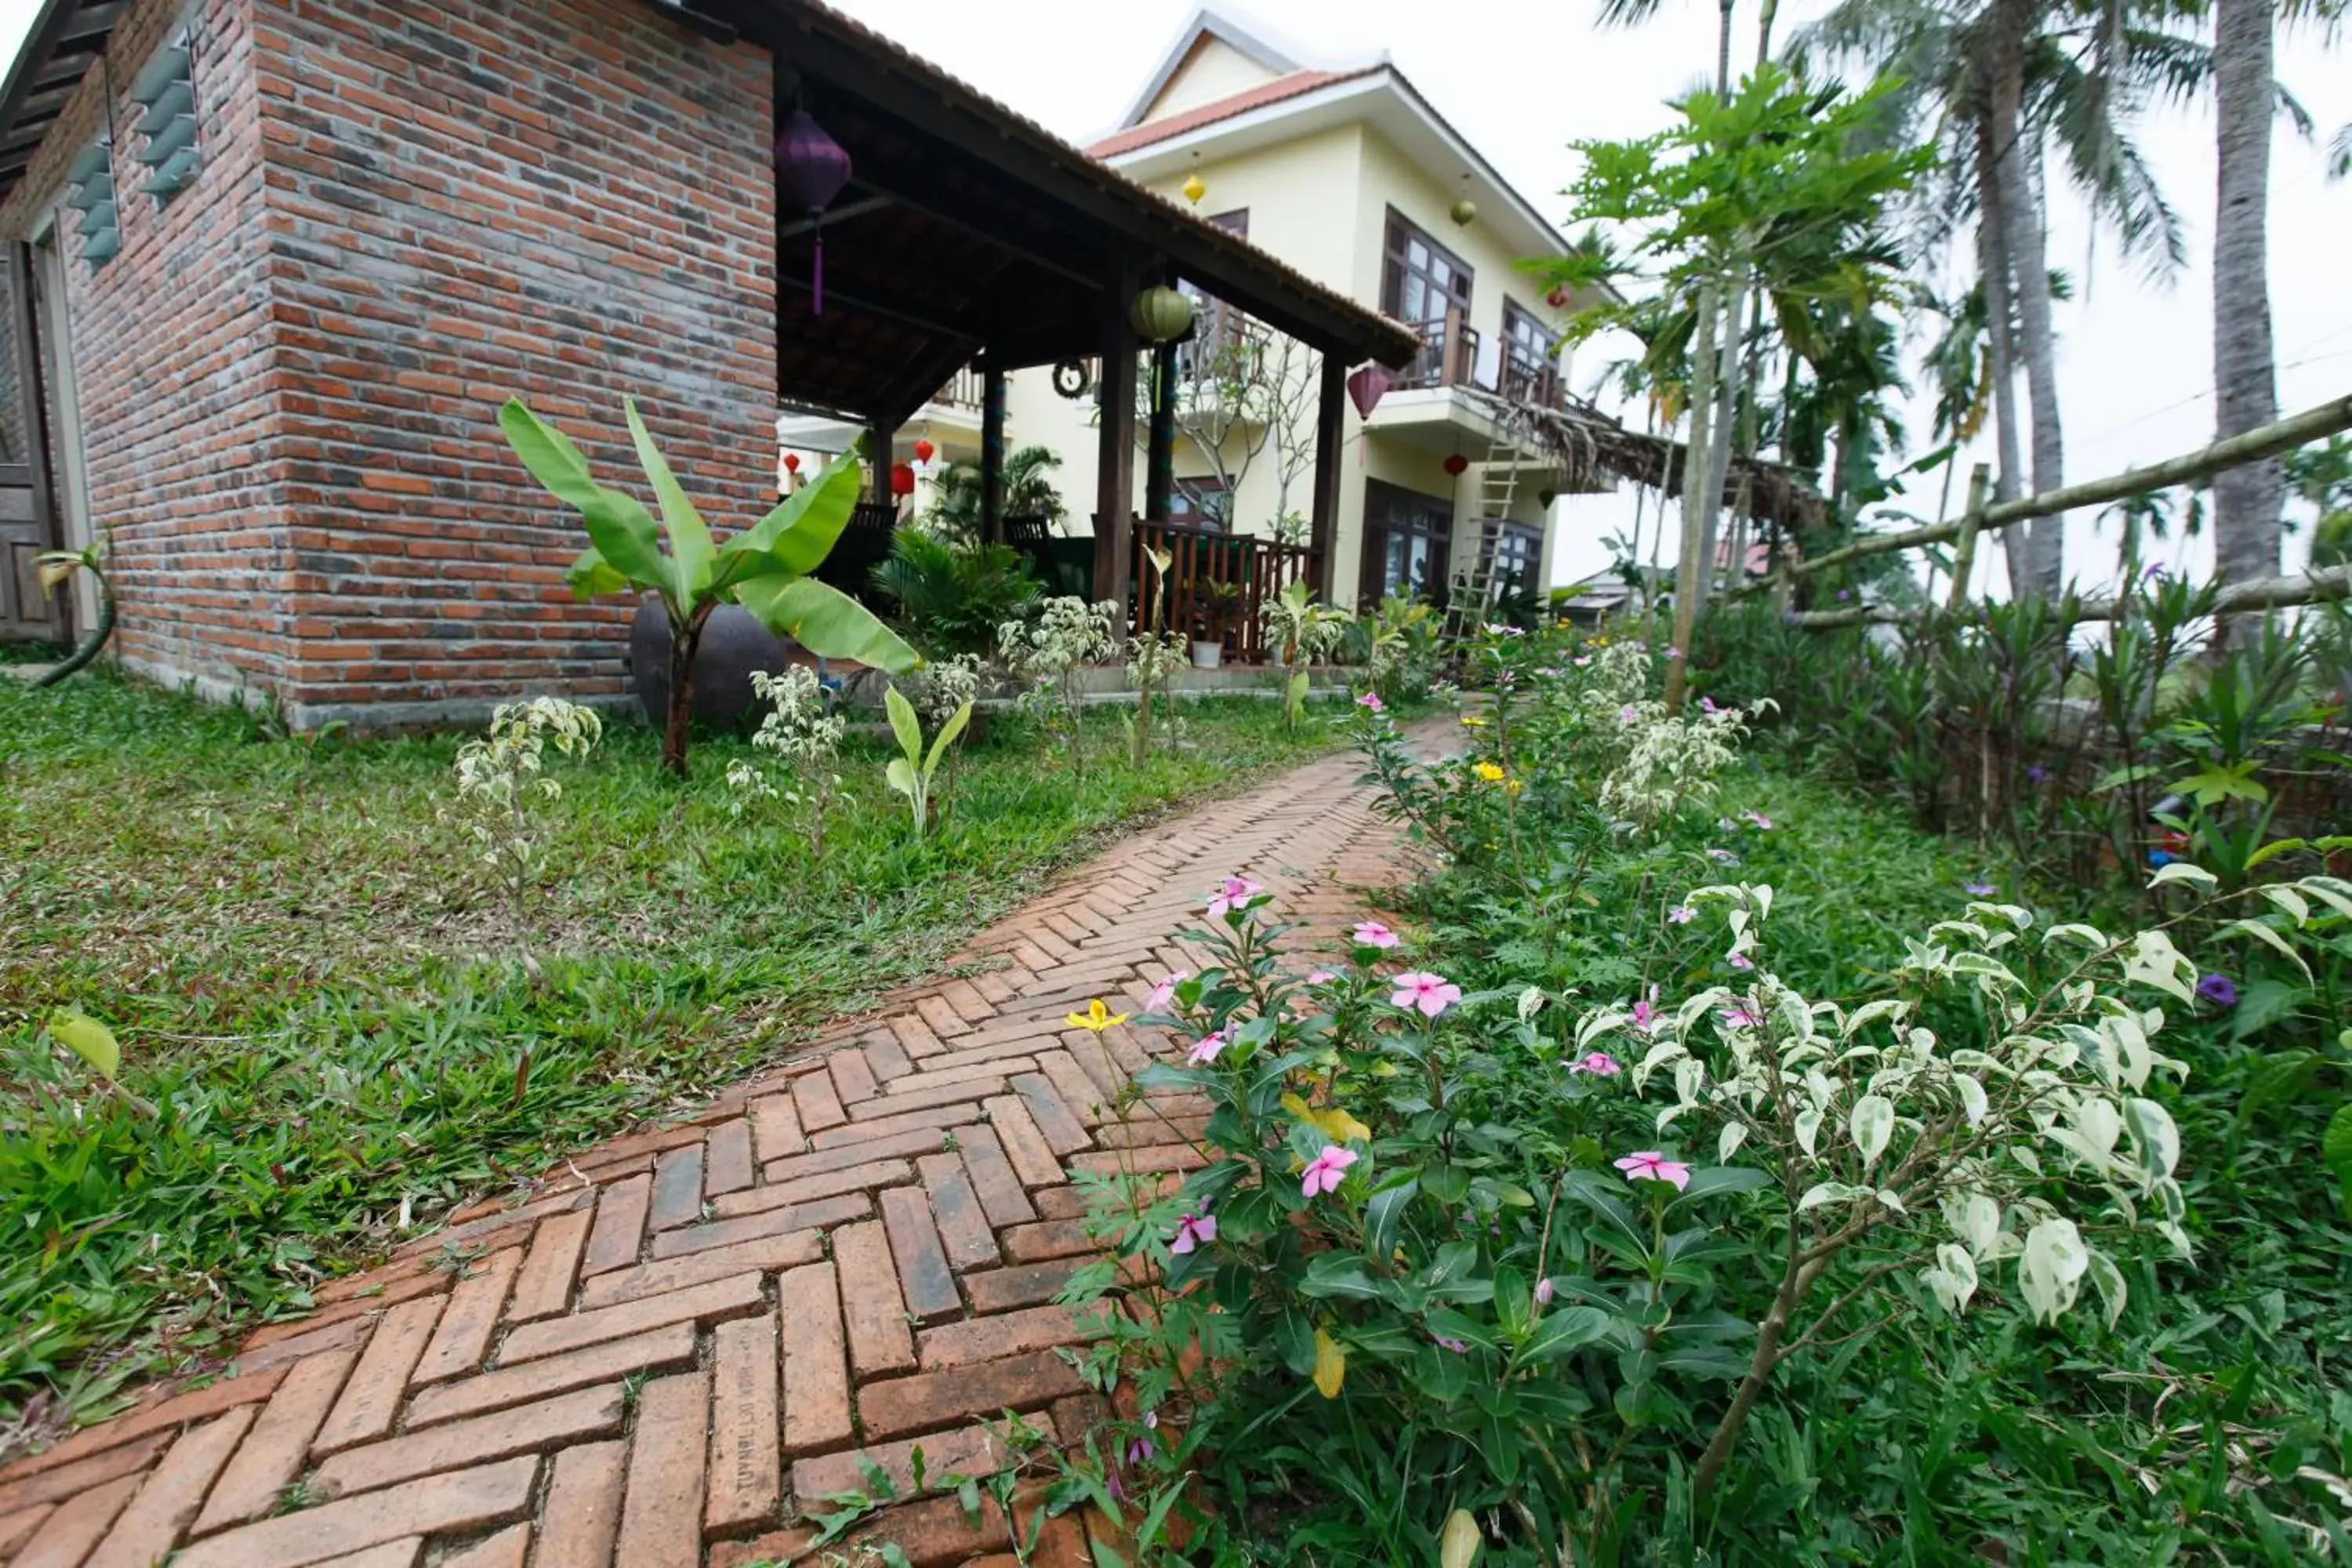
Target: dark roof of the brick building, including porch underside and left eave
pixel 965 234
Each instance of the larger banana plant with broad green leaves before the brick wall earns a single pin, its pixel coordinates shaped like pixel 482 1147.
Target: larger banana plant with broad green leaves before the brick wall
pixel 766 568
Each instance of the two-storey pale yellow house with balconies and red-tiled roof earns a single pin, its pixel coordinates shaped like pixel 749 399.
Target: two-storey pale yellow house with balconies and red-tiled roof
pixel 1351 177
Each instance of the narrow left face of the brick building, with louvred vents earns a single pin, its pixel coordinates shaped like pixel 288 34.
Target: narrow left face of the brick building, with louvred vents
pixel 173 354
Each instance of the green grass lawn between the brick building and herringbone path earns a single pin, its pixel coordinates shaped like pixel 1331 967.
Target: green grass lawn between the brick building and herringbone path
pixel 326 996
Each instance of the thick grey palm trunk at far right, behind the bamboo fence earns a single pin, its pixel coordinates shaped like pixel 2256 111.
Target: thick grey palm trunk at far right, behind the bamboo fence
pixel 2247 502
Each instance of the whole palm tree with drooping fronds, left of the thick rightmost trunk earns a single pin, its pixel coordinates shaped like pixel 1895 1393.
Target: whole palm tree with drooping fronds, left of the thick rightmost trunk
pixel 1993 83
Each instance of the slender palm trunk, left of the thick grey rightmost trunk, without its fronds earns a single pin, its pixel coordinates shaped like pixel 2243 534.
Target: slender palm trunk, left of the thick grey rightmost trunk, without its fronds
pixel 2029 272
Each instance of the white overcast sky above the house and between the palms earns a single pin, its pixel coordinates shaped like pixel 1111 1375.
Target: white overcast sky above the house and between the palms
pixel 1521 79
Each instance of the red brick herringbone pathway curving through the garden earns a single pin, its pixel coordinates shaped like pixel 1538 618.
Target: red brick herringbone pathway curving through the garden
pixel 686 1336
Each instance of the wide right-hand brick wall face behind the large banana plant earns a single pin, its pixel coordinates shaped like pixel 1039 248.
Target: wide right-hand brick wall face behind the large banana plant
pixel 483 199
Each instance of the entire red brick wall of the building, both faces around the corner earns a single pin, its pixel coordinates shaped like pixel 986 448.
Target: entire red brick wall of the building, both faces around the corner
pixel 410 213
